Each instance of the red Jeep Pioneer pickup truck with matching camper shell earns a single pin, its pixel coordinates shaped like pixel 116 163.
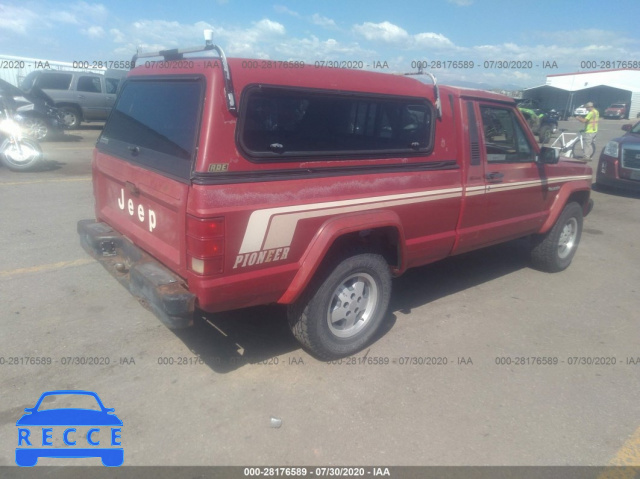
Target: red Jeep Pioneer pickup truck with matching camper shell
pixel 226 184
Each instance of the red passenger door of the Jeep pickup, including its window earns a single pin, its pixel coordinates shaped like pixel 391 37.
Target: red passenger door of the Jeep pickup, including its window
pixel 515 199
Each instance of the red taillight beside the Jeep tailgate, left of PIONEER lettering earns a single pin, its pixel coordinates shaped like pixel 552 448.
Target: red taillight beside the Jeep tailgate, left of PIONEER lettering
pixel 205 245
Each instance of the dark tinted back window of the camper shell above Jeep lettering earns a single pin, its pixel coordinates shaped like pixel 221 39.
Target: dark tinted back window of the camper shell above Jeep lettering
pixel 155 123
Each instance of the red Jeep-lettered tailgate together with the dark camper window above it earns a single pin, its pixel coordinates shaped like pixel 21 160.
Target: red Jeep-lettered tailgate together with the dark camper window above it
pixel 143 162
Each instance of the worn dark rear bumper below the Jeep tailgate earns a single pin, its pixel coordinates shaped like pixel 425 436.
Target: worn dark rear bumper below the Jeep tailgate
pixel 155 286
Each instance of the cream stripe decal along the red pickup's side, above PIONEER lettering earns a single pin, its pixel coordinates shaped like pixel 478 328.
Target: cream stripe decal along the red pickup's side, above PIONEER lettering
pixel 274 227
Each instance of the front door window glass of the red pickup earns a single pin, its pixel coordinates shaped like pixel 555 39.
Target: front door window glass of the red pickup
pixel 504 139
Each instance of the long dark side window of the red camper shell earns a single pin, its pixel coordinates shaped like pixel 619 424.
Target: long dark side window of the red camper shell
pixel 280 122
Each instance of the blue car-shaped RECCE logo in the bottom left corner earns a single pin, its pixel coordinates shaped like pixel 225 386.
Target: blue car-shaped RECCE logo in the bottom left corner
pixel 69 417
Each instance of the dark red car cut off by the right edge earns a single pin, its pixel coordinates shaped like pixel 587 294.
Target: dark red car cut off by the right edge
pixel 619 164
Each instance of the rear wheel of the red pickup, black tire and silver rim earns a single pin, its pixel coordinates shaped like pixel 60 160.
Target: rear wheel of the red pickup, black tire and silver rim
pixel 342 310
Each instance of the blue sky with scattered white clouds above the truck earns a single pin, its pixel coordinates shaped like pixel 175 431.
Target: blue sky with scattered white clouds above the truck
pixel 500 43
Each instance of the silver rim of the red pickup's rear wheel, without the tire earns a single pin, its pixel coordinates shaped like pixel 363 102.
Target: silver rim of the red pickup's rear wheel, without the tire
pixel 352 305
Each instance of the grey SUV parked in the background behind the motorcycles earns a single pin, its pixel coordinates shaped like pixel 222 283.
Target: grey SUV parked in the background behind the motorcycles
pixel 80 96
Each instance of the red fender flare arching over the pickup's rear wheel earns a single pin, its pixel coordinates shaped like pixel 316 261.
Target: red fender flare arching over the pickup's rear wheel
pixel 328 233
